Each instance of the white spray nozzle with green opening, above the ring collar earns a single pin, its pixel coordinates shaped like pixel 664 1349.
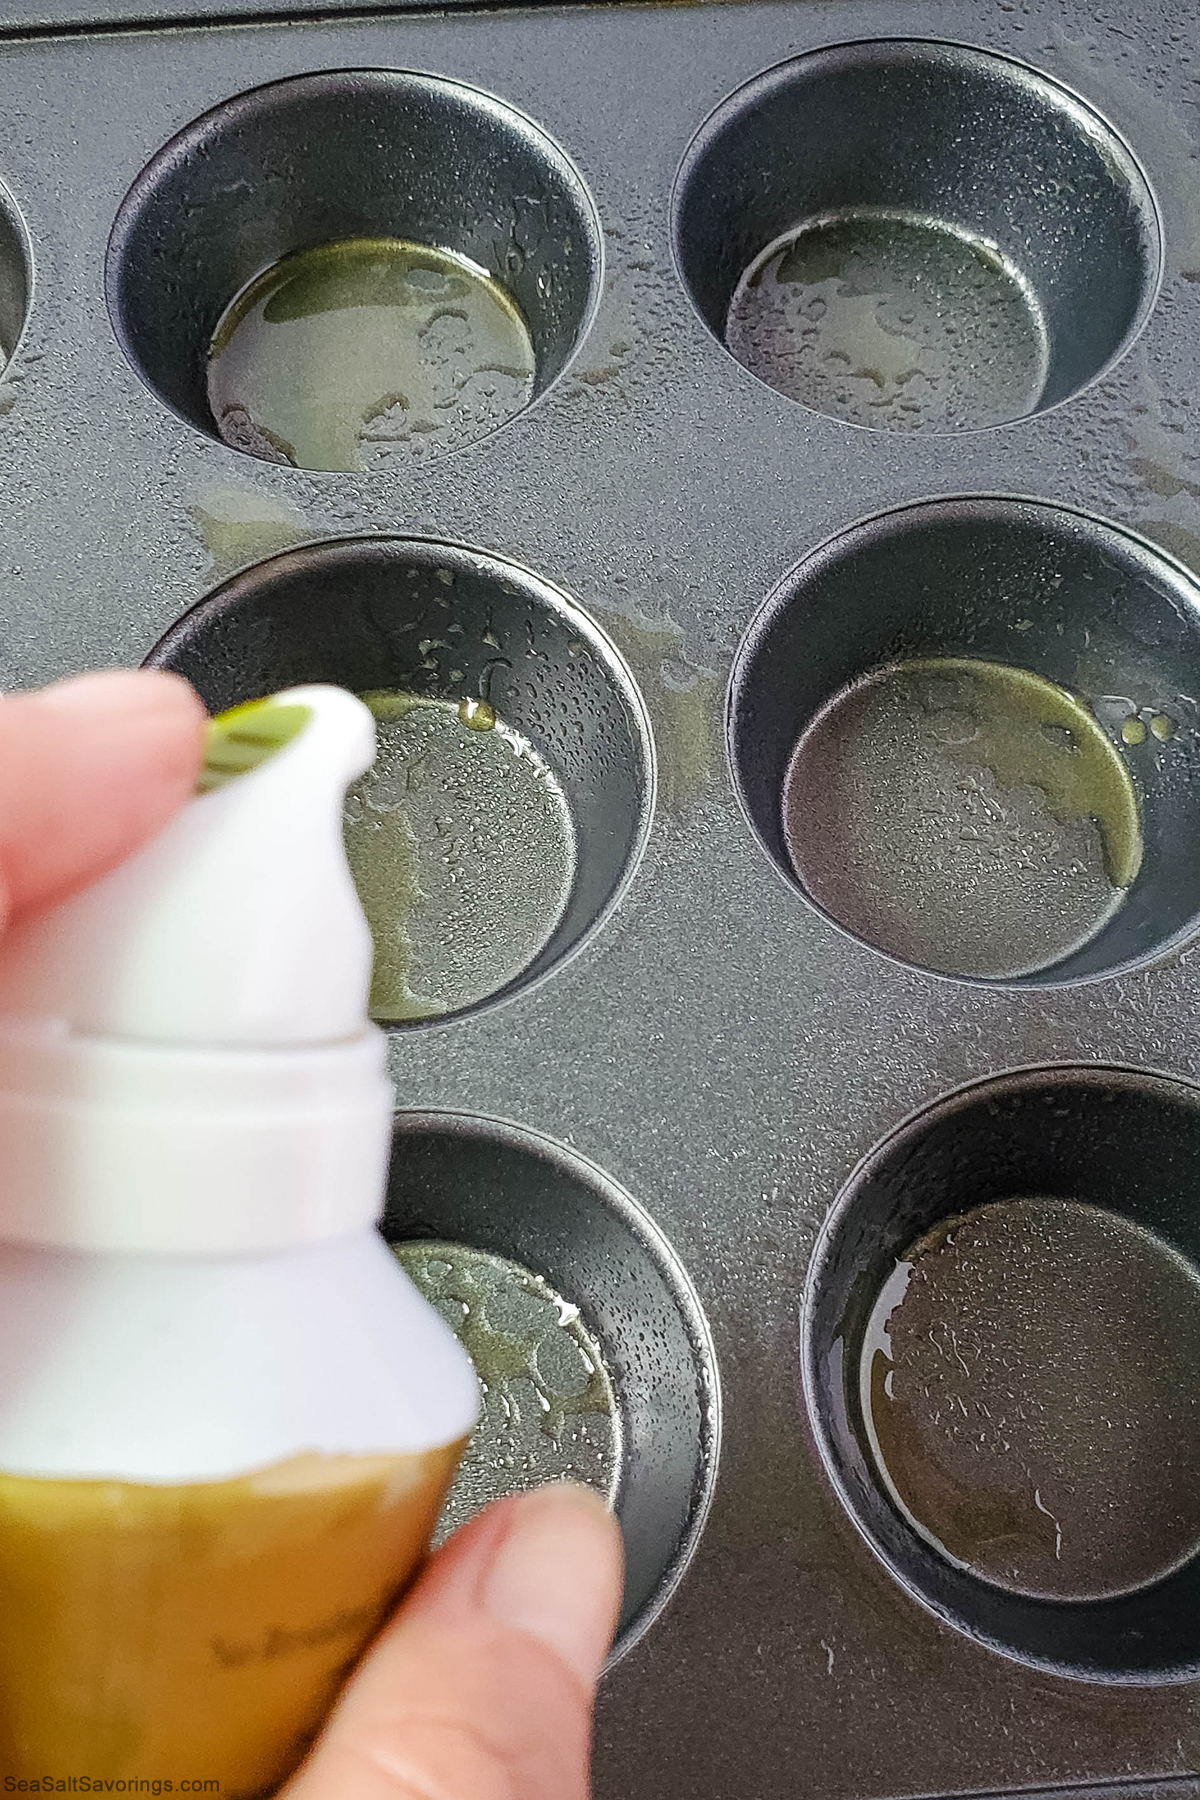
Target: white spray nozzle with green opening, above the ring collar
pixel 240 922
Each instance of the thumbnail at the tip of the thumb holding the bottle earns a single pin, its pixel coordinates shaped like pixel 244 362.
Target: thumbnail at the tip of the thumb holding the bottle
pixel 557 1574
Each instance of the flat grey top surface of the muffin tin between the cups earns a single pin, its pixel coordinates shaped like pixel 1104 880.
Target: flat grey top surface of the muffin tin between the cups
pixel 719 1050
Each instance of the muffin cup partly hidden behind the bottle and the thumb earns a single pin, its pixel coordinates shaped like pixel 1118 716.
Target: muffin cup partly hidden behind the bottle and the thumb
pixel 501 1227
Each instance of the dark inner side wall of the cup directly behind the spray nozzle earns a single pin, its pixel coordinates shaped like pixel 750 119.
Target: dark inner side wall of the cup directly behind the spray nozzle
pixel 436 620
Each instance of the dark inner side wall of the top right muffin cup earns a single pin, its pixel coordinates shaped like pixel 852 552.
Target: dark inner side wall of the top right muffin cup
pixel 863 130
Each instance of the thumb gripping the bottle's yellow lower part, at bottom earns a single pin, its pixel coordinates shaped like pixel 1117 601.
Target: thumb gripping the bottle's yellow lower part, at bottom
pixel 481 1687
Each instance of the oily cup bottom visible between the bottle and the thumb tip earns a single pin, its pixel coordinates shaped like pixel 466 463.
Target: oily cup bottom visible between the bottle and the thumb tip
pixel 550 1412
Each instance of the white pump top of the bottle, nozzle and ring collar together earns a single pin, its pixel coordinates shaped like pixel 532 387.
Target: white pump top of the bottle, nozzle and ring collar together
pixel 186 1061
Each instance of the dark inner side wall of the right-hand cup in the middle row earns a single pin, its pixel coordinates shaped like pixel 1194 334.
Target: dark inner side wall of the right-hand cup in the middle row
pixel 1028 586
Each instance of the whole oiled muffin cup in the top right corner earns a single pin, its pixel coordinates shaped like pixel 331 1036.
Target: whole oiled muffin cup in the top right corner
pixel 917 237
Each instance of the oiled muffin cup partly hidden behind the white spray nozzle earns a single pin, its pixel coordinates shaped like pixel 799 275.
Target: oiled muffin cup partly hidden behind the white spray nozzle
pixel 514 782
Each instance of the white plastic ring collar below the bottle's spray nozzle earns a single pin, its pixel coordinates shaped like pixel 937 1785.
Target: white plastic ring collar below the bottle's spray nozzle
pixel 129 1147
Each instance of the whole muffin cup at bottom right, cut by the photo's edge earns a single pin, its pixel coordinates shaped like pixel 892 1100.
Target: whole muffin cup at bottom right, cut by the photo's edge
pixel 999 1342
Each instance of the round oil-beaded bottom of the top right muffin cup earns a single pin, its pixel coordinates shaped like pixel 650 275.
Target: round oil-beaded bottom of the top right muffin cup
pixel 895 321
